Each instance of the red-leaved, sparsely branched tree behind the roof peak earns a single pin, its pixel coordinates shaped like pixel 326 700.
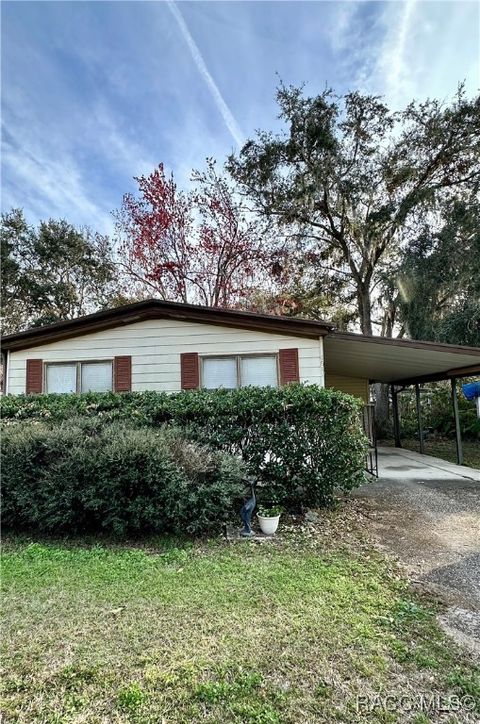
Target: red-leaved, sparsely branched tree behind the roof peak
pixel 199 246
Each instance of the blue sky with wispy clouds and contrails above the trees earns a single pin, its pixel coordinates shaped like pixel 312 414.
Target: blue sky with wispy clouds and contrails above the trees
pixel 94 93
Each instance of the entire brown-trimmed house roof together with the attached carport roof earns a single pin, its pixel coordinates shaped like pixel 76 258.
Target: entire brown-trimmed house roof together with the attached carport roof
pixel 378 359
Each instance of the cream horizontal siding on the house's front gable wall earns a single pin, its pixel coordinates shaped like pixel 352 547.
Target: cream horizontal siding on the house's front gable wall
pixel 156 345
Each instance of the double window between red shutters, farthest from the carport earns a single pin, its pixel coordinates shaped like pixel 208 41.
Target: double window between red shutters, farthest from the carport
pixel 78 377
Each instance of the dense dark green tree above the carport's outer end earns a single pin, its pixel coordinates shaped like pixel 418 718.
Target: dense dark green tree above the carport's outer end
pixel 439 278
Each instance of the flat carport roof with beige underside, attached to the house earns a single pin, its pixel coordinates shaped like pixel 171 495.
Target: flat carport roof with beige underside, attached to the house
pixel 382 359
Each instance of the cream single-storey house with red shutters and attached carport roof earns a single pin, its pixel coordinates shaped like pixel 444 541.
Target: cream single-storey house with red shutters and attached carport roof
pixel 166 346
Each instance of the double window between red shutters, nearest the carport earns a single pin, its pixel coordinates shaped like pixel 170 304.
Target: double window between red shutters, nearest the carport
pixel 239 371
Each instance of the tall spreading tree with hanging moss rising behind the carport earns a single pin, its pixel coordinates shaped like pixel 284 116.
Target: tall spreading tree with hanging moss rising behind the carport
pixel 351 181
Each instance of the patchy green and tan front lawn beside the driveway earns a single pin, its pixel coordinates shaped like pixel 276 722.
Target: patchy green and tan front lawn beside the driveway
pixel 286 631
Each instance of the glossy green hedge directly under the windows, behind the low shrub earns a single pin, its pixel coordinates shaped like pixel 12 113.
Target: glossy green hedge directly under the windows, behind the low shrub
pixel 301 442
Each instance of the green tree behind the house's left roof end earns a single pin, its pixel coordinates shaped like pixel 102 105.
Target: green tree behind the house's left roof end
pixel 52 272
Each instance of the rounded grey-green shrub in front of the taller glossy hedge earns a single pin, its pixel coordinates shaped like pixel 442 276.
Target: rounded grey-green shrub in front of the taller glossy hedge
pixel 80 475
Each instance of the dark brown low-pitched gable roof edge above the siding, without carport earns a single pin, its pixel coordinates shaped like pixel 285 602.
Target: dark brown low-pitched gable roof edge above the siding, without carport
pixel 157 309
